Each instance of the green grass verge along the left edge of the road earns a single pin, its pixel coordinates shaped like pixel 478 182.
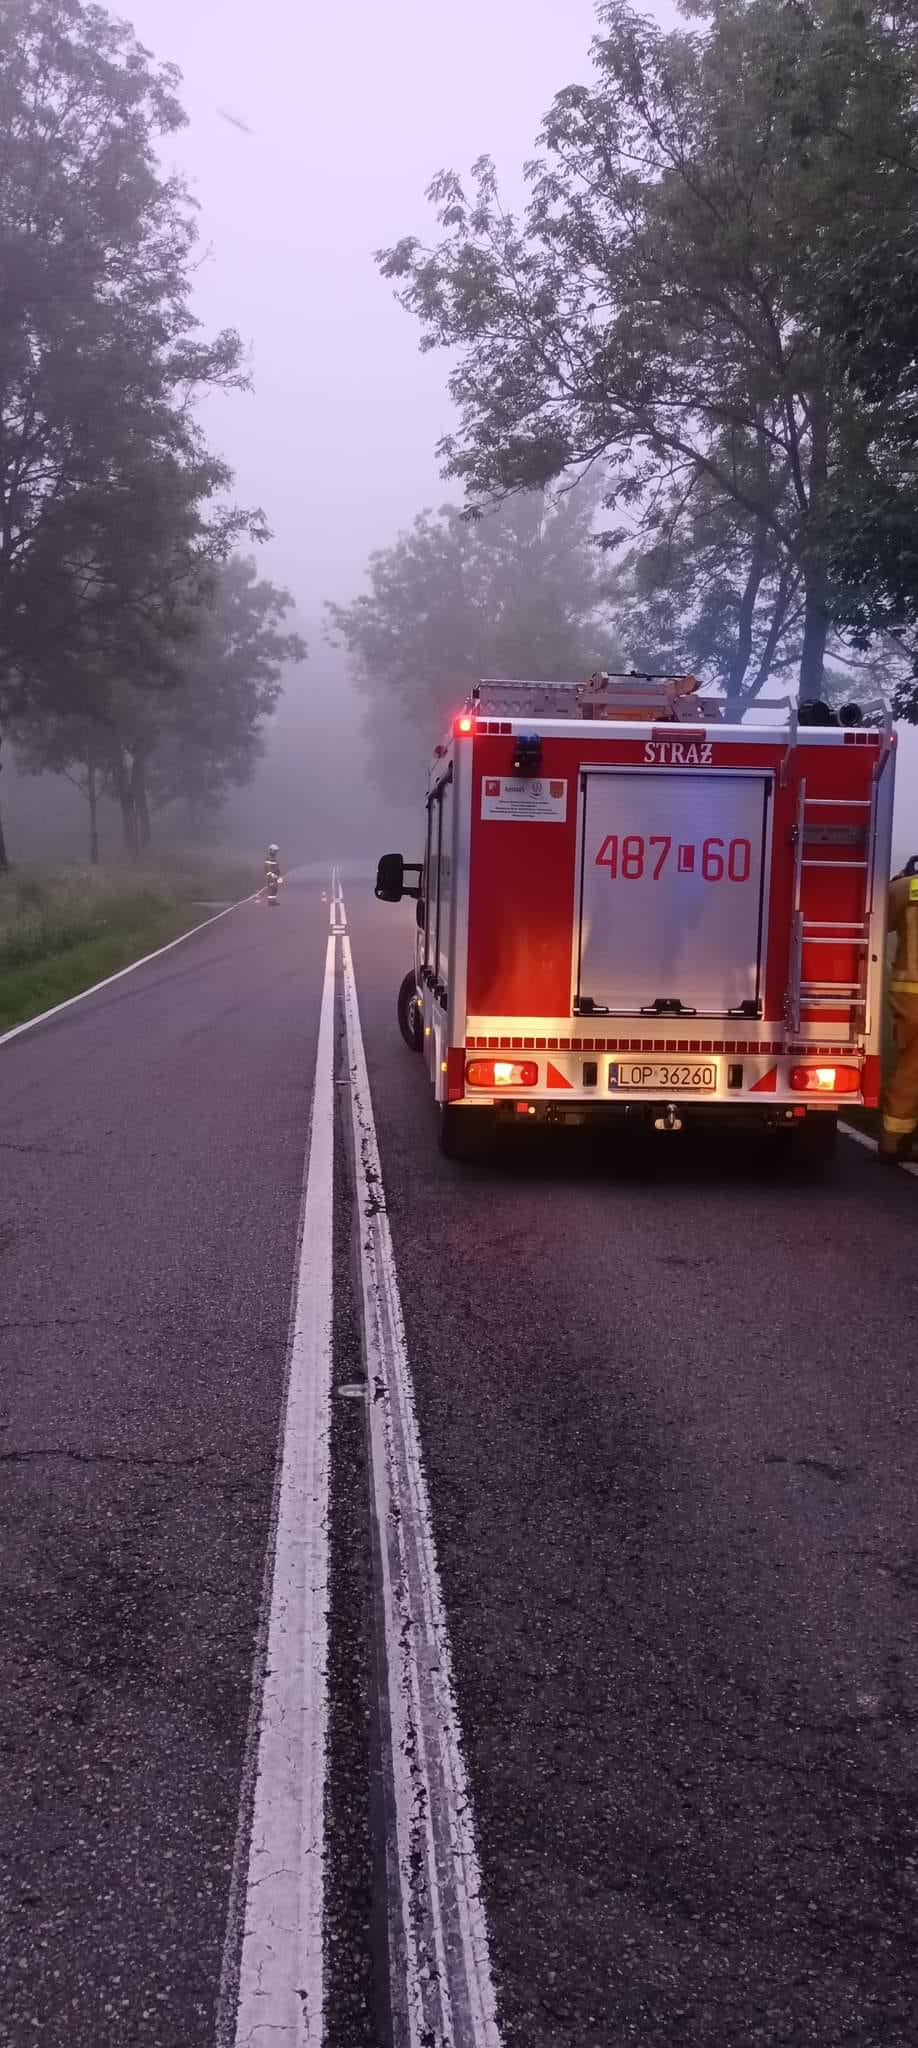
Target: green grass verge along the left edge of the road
pixel 67 927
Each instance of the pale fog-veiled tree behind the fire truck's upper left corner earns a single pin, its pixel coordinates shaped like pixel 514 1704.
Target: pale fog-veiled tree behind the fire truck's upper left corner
pixel 517 593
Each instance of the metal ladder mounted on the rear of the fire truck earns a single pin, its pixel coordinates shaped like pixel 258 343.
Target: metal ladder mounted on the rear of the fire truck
pixel 812 994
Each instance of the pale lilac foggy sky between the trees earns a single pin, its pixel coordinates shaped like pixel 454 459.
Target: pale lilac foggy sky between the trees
pixel 347 112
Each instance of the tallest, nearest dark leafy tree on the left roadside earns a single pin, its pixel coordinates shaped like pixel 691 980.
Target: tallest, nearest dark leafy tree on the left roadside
pixel 103 468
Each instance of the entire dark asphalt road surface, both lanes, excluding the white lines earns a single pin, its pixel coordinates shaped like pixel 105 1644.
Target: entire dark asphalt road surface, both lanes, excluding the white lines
pixel 669 1420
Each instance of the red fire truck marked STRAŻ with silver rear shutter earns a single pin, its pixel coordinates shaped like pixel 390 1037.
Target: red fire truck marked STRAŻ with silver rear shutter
pixel 634 910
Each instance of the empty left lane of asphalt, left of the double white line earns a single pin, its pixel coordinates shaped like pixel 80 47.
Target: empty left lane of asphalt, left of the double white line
pixel 153 1154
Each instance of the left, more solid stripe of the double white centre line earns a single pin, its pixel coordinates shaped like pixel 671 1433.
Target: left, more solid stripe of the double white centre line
pixel 282 1965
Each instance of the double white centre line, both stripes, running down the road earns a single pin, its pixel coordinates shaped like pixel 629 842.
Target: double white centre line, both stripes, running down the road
pixel 440 1961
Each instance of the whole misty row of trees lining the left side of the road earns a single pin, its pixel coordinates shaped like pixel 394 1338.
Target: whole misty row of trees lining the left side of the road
pixel 138 648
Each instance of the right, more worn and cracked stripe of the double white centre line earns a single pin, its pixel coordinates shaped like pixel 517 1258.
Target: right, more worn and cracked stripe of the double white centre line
pixel 440 1957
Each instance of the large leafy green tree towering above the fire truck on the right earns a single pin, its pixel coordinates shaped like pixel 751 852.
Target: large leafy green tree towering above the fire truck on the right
pixel 659 304
